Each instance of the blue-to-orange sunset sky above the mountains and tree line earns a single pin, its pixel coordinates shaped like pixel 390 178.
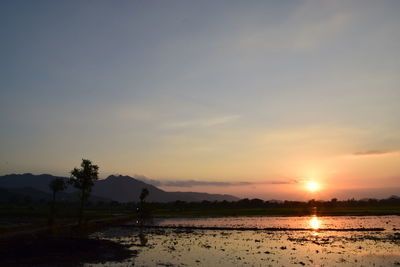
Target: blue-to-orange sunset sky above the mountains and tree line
pixel 250 98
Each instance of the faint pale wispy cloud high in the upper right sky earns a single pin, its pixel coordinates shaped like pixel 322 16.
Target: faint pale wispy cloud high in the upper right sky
pixel 304 31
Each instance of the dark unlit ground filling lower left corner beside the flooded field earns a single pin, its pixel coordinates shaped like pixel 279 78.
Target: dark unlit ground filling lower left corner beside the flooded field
pixel 61 245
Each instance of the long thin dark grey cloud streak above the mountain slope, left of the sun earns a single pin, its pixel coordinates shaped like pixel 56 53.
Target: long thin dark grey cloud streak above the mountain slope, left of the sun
pixel 191 183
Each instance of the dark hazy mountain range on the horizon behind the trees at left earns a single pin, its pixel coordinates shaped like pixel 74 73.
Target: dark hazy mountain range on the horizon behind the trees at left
pixel 119 188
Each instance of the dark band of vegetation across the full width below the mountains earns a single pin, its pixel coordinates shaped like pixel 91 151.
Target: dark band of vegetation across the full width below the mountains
pixel 20 213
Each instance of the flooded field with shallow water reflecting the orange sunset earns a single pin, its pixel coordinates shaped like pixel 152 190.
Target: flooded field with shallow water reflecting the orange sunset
pixel 252 247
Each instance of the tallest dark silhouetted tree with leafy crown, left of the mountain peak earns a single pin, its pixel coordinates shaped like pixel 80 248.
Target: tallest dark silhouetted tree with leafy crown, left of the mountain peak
pixel 83 179
